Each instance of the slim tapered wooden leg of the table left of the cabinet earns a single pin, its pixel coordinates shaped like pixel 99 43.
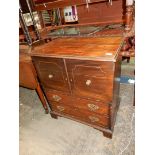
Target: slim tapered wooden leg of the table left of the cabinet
pixel 41 96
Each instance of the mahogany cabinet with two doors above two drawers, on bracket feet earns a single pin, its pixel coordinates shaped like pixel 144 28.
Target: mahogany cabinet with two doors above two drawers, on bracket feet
pixel 81 82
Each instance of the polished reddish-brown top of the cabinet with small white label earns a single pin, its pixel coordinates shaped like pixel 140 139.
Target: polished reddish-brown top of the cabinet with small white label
pixel 102 48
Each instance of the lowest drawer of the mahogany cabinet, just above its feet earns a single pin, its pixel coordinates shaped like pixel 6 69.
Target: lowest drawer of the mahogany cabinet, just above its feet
pixel 85 116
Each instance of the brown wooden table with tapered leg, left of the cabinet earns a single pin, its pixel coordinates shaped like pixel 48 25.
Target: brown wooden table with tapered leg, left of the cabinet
pixel 27 75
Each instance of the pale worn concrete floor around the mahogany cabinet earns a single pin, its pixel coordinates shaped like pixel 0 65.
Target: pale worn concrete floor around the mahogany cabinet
pixel 42 135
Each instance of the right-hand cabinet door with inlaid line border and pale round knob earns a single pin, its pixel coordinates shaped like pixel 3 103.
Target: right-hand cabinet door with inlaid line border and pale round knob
pixel 91 79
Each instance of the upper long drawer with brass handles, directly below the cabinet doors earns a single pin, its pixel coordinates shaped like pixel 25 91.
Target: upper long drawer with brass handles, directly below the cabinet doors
pixel 83 104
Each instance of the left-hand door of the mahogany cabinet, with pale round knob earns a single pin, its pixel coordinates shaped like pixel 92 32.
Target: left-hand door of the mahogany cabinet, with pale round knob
pixel 52 73
